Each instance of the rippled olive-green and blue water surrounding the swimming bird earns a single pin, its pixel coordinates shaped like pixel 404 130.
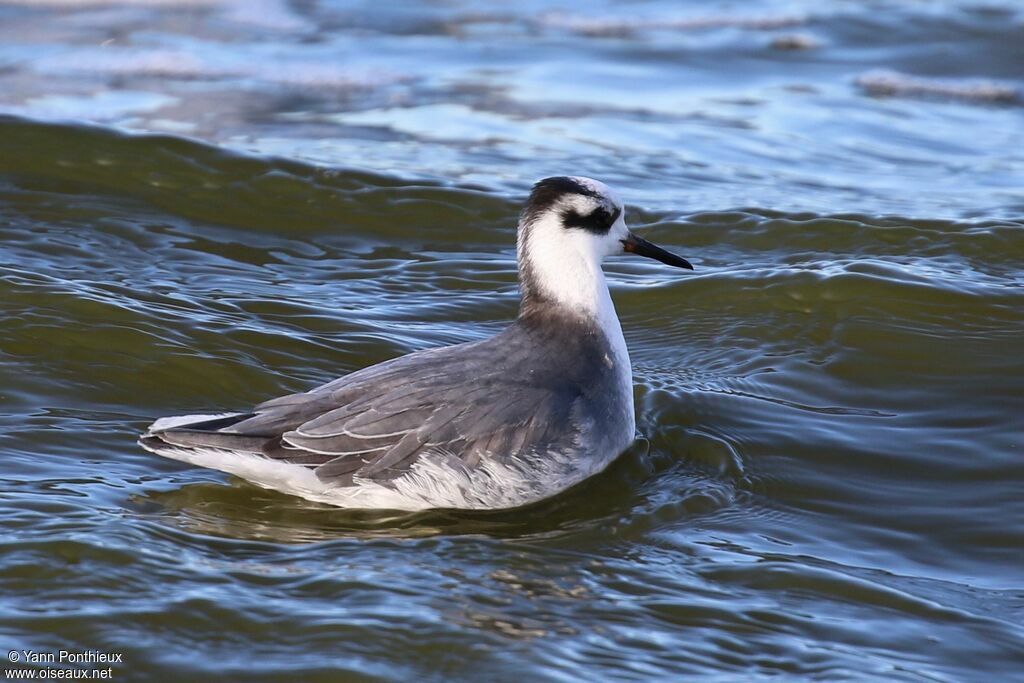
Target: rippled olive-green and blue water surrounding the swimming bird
pixel 832 479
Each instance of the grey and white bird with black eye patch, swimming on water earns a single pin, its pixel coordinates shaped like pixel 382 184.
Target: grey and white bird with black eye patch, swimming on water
pixel 493 424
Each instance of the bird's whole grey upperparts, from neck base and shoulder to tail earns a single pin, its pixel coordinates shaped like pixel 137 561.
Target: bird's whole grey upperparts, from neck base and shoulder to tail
pixel 528 391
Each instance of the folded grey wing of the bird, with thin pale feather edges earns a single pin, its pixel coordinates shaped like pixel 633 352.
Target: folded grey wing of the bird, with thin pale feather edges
pixel 376 423
